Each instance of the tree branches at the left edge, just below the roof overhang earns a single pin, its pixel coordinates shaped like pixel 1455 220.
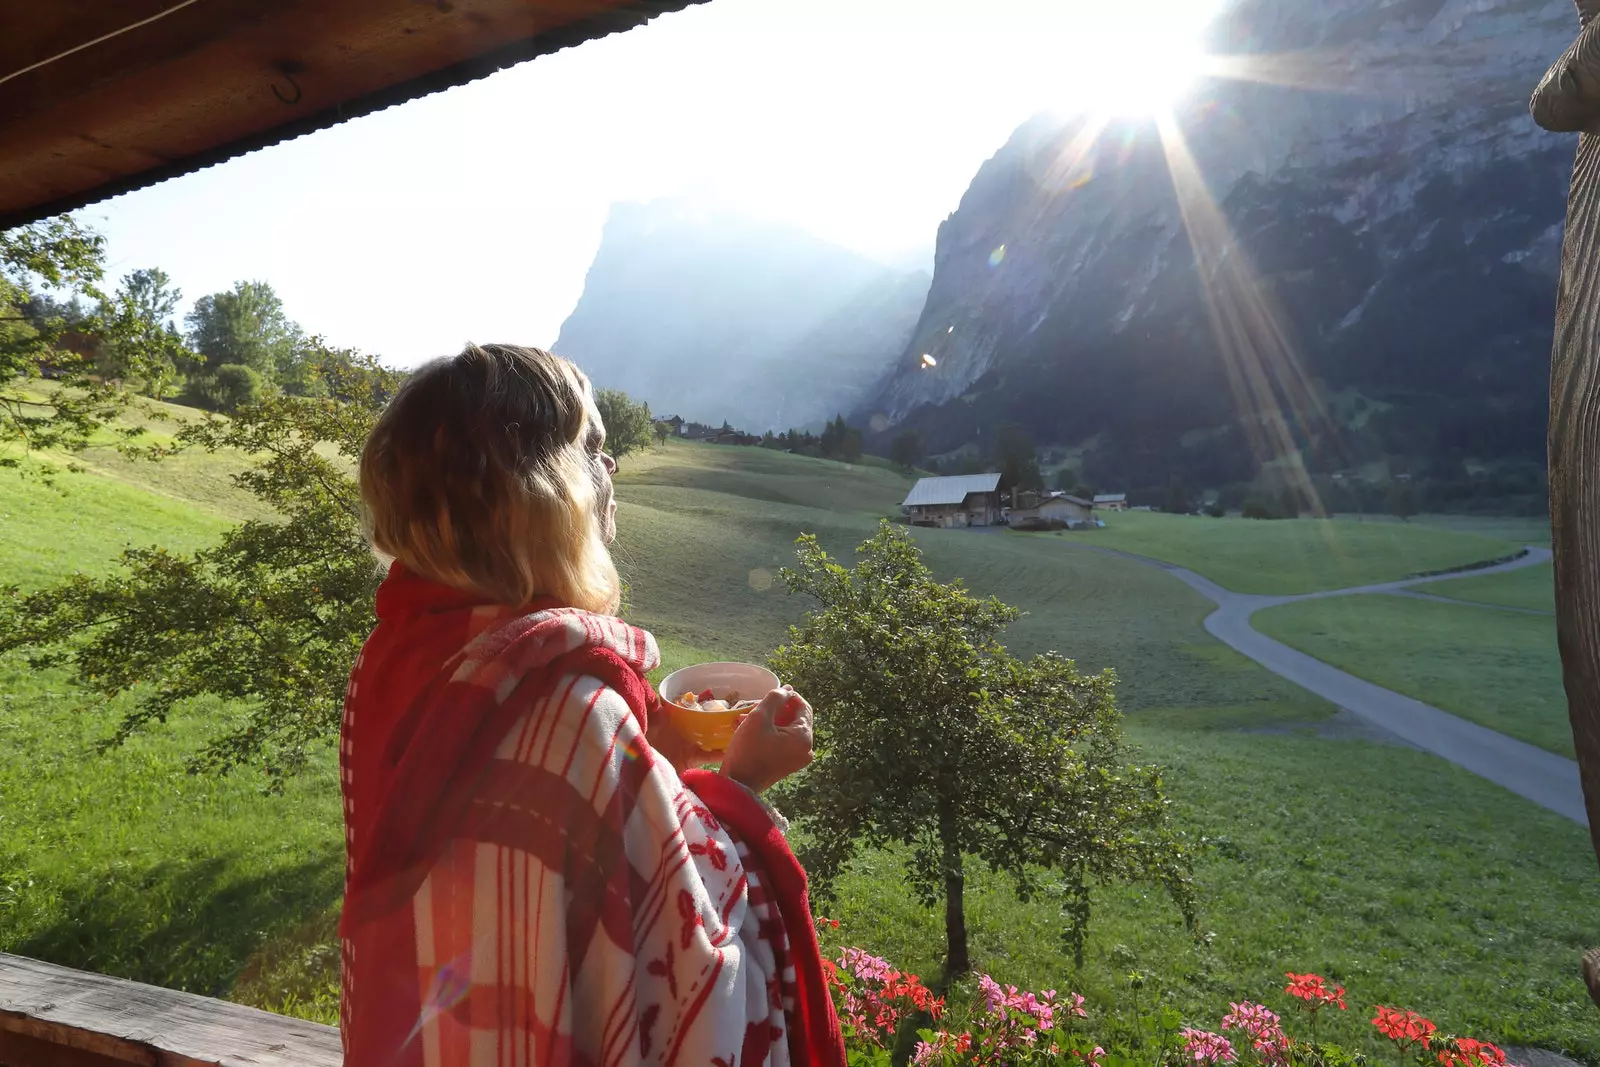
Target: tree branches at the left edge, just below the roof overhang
pixel 57 342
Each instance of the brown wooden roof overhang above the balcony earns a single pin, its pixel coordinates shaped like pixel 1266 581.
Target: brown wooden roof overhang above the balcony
pixel 105 97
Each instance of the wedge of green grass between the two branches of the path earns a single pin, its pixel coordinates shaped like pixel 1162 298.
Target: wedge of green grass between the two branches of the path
pixel 1495 668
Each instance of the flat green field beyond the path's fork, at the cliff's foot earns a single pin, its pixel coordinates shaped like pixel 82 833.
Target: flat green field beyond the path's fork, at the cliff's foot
pixel 1297 556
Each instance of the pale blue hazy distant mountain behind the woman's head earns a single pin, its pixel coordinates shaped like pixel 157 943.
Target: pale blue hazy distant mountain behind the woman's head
pixel 714 318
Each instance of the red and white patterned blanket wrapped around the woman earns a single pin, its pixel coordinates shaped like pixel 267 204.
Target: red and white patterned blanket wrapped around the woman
pixel 529 884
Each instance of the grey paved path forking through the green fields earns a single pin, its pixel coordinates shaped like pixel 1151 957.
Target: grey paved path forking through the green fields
pixel 1545 778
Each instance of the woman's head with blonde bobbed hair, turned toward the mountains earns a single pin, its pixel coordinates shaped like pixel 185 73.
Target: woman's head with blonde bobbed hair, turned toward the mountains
pixel 482 474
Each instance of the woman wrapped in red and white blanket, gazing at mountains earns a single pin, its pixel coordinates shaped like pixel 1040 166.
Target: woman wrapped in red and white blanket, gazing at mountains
pixel 537 871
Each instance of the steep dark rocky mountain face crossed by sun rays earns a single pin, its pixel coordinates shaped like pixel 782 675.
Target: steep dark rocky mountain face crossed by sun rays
pixel 1351 273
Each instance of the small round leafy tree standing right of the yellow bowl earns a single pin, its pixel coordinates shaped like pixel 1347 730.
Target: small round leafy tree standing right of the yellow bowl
pixel 942 741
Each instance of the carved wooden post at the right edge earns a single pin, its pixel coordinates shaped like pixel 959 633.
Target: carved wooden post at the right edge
pixel 1569 102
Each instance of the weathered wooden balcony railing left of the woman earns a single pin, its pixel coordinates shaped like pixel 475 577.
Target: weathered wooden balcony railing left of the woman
pixel 114 1020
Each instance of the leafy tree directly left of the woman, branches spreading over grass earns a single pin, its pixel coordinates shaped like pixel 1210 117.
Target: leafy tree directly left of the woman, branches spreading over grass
pixel 273 617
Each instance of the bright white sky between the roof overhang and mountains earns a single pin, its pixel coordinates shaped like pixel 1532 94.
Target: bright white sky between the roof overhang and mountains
pixel 473 215
